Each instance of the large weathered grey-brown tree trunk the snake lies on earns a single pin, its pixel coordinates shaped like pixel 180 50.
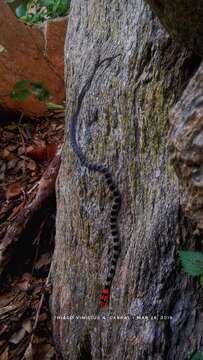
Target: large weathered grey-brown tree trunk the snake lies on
pixel 123 123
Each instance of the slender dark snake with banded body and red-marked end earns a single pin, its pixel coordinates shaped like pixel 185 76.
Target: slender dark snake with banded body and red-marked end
pixel 95 167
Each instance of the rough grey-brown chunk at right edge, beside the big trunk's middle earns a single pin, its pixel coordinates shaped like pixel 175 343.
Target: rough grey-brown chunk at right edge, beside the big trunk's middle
pixel 186 146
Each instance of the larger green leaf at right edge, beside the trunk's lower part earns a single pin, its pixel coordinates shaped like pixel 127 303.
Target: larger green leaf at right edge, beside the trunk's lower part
pixel 192 262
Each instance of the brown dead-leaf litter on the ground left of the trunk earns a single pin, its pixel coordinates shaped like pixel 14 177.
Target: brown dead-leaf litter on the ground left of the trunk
pixel 27 148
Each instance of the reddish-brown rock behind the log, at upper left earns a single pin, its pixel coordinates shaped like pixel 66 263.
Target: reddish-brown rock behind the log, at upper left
pixel 30 53
